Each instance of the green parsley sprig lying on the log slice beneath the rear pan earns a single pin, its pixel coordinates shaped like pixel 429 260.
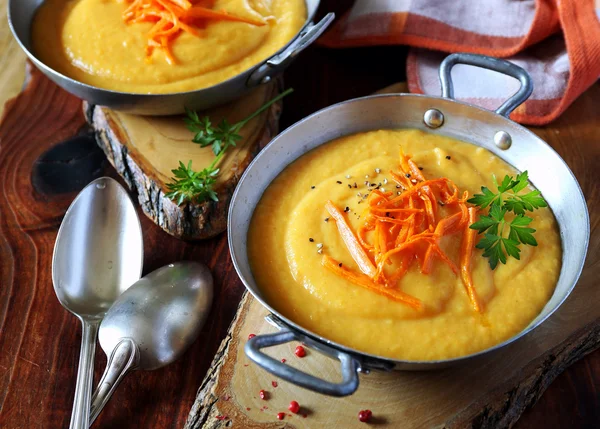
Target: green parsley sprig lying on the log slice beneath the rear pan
pixel 198 186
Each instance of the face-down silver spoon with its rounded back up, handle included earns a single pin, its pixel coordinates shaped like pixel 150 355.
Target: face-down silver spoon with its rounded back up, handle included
pixel 153 323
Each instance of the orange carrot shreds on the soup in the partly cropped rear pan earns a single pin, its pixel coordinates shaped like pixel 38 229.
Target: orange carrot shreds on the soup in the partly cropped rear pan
pixel 171 18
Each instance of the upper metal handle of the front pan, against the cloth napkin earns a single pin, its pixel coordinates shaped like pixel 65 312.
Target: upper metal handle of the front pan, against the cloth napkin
pixel 489 63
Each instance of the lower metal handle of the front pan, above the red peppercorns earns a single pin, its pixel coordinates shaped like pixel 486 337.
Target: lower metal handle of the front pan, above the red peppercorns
pixel 350 366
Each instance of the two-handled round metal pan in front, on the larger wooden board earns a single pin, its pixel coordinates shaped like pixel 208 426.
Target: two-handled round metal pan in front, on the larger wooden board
pixel 439 115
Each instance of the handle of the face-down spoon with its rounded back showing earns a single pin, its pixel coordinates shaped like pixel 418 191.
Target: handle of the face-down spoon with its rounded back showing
pixel 124 357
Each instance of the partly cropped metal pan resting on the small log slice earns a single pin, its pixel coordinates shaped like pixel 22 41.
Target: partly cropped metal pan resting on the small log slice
pixel 20 18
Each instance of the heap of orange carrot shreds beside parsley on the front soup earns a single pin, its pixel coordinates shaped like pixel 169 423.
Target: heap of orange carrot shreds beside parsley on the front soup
pixel 407 226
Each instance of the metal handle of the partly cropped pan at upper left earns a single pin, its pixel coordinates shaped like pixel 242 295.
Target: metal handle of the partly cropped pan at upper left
pixel 279 62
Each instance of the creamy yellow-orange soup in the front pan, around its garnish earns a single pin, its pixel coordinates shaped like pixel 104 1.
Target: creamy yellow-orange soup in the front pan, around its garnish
pixel 289 223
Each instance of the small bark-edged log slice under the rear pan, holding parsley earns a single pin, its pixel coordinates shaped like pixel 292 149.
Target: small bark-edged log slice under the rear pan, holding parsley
pixel 144 150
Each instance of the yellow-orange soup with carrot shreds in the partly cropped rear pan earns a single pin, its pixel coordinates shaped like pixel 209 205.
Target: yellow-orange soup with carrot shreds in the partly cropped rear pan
pixel 161 46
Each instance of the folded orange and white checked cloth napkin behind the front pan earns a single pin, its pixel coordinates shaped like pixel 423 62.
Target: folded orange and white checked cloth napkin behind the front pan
pixel 556 41
